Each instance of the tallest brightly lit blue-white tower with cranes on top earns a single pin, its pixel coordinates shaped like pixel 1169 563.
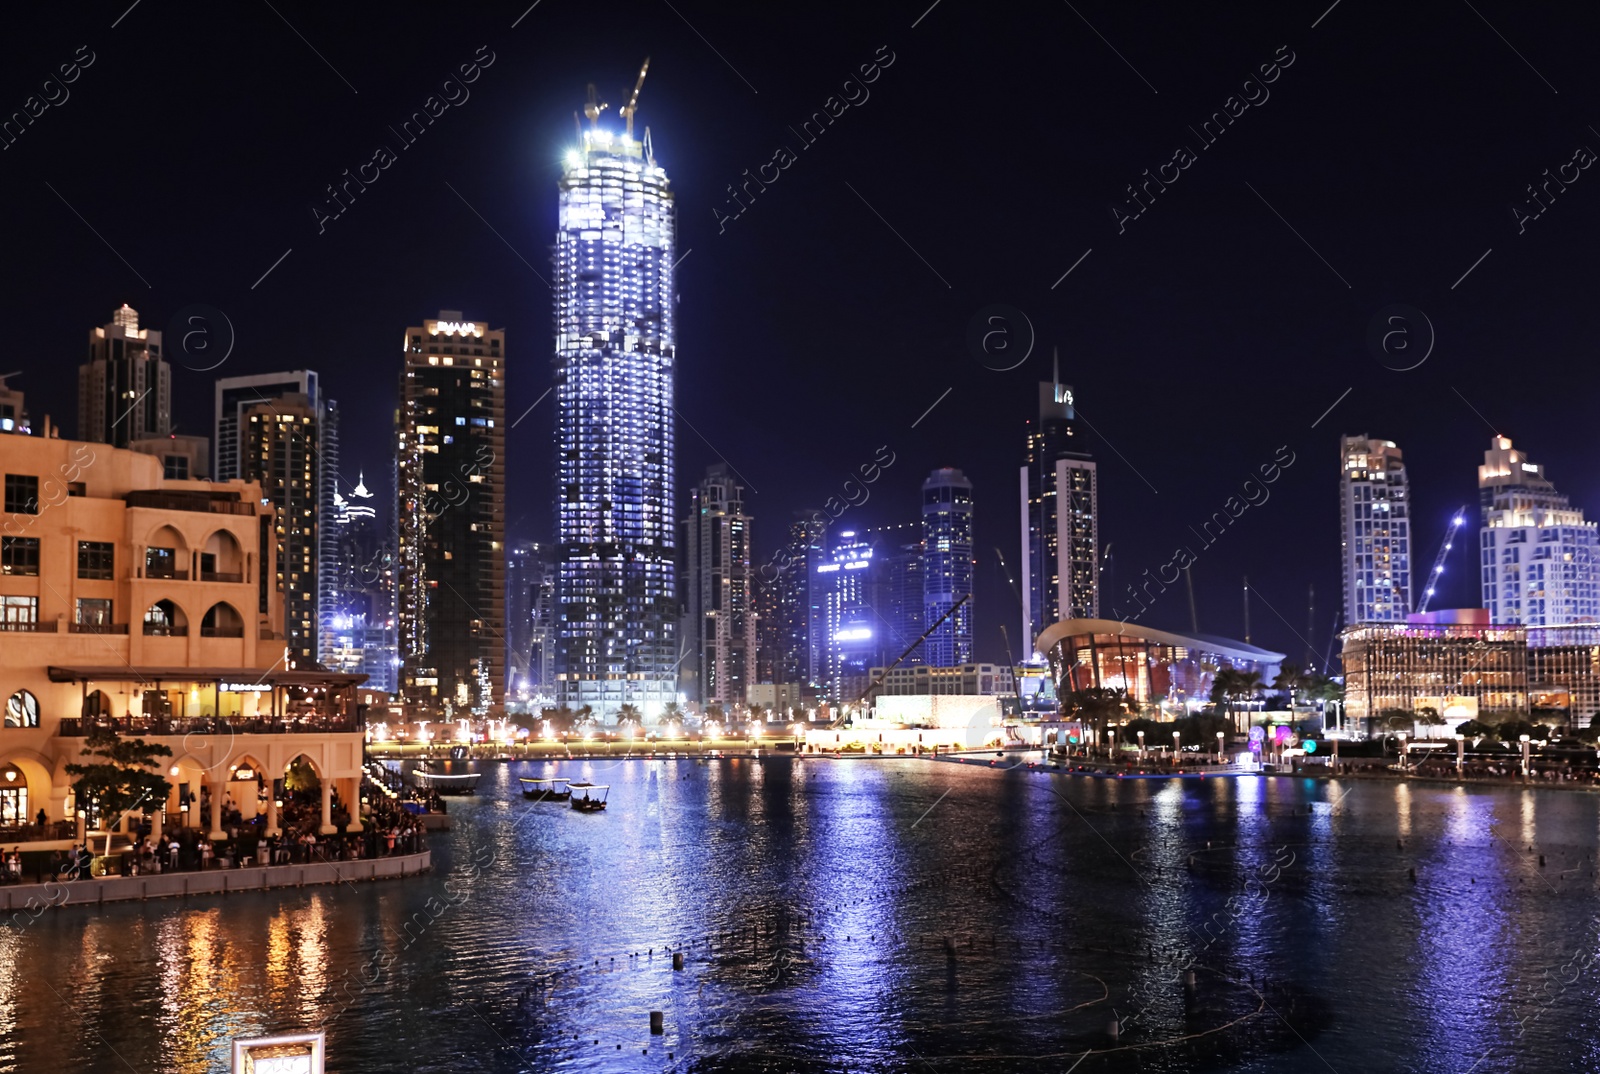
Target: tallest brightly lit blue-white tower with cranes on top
pixel 615 355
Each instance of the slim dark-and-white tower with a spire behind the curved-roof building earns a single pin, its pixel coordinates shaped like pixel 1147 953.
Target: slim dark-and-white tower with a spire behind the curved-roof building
pixel 1060 519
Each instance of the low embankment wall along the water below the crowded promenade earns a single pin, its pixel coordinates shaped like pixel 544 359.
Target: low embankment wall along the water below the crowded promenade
pixel 31 899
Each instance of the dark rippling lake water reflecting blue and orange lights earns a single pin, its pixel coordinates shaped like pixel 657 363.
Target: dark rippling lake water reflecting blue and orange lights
pixel 876 916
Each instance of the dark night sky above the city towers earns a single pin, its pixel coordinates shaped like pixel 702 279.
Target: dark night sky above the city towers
pixel 993 150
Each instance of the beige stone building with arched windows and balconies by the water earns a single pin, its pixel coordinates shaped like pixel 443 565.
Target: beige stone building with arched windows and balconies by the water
pixel 151 606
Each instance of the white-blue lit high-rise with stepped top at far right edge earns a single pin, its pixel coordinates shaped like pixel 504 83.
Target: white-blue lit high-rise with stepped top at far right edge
pixel 1540 561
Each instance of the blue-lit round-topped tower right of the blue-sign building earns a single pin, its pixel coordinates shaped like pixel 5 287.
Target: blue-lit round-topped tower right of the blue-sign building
pixel 948 567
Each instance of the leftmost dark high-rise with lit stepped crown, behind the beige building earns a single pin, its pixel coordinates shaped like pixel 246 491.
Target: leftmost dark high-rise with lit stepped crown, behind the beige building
pixel 126 388
